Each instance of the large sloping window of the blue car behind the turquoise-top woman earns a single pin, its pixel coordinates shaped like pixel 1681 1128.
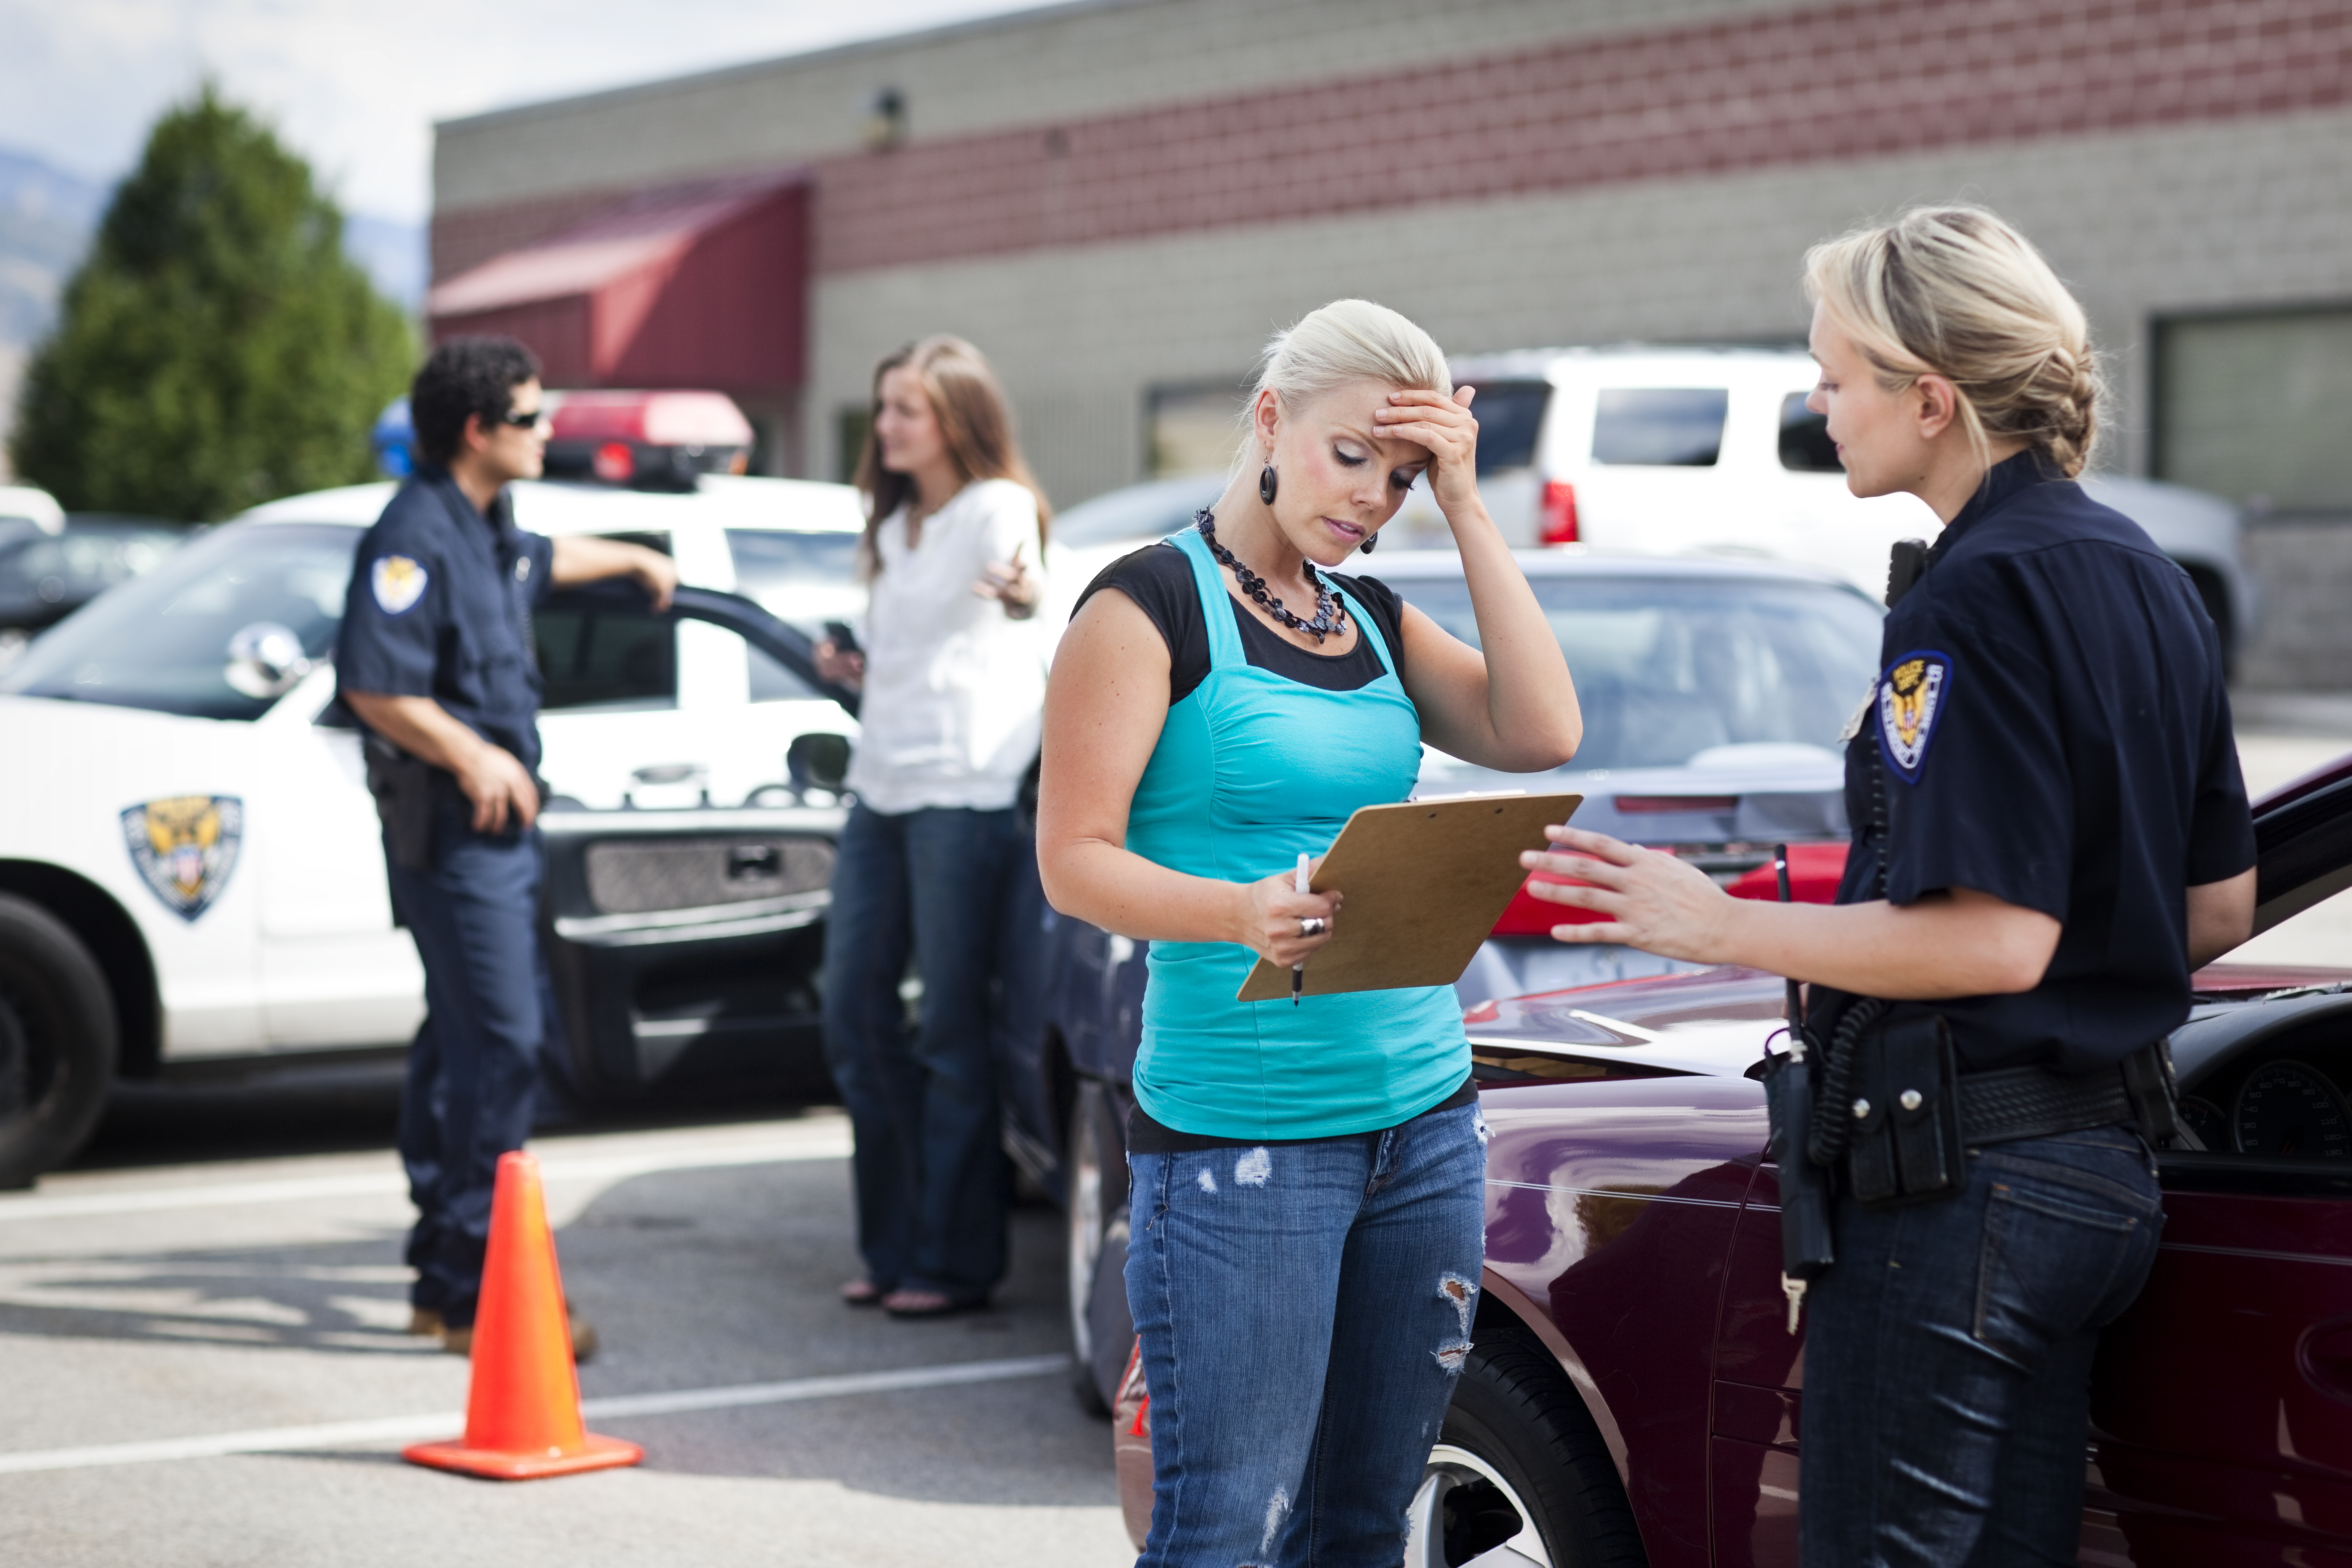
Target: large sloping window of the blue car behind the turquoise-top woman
pixel 1671 669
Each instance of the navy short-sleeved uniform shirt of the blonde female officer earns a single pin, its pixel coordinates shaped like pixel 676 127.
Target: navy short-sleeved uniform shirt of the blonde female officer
pixel 2052 728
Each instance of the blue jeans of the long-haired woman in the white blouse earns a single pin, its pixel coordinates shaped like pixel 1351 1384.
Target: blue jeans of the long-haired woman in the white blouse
pixel 930 1177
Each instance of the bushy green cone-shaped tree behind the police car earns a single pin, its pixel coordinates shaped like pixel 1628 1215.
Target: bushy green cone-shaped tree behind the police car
pixel 218 347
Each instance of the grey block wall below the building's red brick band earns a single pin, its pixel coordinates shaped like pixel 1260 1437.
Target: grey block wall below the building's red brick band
pixel 1085 333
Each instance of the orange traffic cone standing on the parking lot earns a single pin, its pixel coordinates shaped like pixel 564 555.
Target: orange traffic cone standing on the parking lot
pixel 523 1412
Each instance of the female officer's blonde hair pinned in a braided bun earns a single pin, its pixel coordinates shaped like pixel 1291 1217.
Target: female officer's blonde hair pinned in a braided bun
pixel 1963 295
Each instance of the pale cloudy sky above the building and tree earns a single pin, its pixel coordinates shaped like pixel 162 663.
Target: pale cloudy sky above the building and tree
pixel 356 83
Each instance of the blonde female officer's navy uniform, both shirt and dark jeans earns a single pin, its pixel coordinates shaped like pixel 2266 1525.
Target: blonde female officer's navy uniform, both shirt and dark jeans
pixel 2050 728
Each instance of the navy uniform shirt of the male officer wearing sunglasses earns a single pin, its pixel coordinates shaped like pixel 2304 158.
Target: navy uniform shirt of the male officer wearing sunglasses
pixel 441 605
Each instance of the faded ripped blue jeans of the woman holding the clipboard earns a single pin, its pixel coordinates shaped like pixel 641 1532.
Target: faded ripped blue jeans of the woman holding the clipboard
pixel 1304 1315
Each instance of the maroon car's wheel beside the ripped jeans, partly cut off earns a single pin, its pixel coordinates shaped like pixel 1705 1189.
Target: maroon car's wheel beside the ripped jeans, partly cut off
pixel 1521 1475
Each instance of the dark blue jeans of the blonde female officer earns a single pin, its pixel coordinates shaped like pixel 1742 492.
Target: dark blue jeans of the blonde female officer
pixel 1949 1358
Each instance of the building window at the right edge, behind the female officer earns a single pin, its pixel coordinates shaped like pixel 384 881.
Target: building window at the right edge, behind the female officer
pixel 2254 408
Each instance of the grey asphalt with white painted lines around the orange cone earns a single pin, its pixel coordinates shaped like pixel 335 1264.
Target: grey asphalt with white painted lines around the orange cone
pixel 206 1362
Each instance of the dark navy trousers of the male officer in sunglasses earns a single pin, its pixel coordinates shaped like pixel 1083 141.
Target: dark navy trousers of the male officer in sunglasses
pixel 476 1059
